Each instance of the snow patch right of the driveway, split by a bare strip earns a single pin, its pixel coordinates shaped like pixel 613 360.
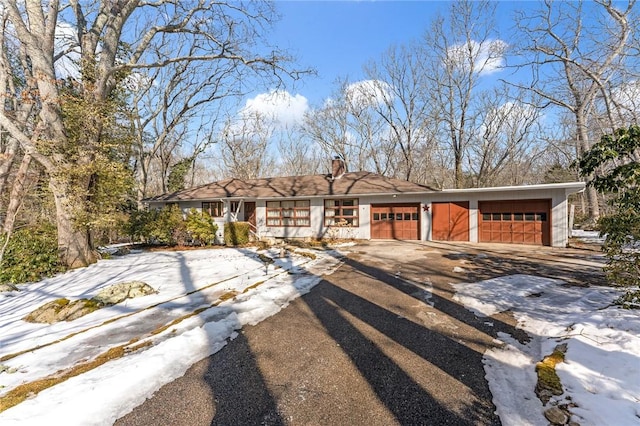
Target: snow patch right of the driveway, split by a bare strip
pixel 601 372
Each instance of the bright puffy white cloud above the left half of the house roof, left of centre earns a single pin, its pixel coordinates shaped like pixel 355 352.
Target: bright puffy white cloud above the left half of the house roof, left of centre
pixel 280 106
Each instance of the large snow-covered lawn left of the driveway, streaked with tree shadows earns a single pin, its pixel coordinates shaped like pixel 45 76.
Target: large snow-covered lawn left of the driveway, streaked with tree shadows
pixel 186 282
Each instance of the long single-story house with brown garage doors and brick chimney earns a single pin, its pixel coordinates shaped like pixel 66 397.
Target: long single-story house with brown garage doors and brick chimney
pixel 363 205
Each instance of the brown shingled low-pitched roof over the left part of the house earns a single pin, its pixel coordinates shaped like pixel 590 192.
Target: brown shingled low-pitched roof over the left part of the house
pixel 355 183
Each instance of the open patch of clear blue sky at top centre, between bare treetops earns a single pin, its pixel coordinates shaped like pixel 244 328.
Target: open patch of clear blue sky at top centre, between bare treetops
pixel 338 38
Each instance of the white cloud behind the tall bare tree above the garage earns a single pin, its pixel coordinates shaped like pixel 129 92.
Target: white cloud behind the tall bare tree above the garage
pixel 487 57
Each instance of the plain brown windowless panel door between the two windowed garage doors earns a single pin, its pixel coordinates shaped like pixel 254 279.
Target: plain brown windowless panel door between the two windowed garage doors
pixel 450 221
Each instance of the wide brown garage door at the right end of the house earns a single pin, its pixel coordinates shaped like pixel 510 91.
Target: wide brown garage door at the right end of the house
pixel 516 221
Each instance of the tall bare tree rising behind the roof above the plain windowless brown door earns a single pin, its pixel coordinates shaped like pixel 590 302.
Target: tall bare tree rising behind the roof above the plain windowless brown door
pixel 460 49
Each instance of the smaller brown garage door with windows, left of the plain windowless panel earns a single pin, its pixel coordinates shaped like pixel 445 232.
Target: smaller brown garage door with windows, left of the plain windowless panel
pixel 395 221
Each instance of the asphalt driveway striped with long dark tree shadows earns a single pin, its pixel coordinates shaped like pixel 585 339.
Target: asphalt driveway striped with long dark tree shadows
pixel 378 342
